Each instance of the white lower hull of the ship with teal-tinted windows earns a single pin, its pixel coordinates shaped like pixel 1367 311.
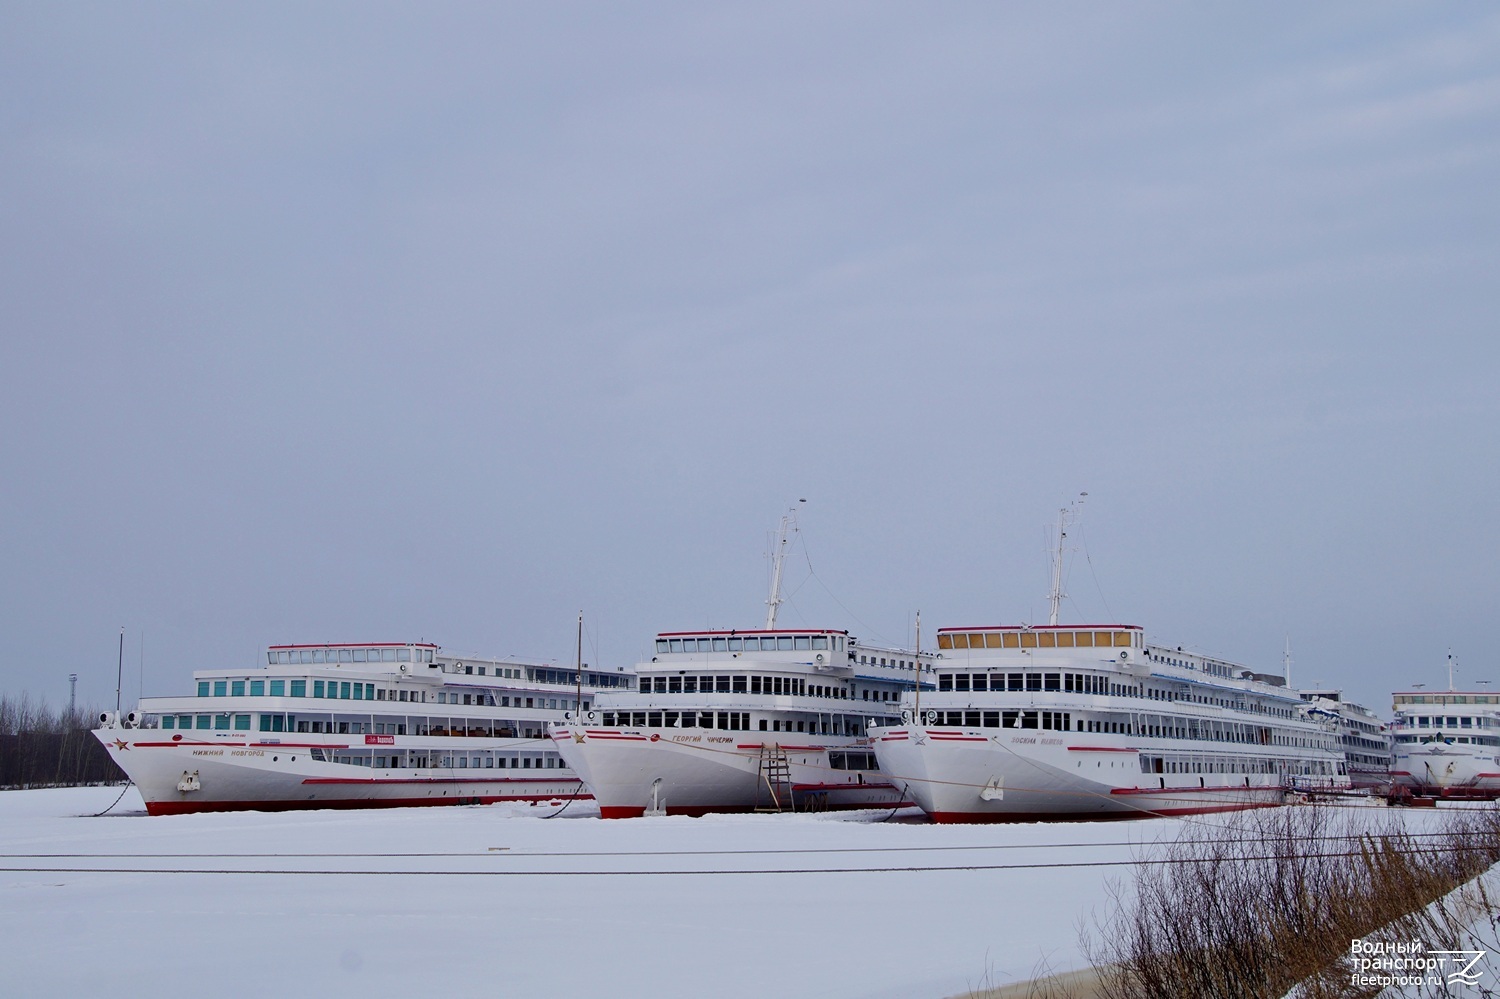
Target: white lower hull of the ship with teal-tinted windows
pixel 179 775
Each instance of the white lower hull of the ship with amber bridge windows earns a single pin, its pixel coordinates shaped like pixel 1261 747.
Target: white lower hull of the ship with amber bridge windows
pixel 979 776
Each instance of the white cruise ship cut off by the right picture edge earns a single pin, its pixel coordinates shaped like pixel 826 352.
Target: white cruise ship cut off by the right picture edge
pixel 1448 742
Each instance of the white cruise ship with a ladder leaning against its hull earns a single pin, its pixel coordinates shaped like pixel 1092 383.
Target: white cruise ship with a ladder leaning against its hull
pixel 749 721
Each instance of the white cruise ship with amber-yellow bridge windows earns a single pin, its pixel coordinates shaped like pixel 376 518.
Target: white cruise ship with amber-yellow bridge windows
pixel 1094 722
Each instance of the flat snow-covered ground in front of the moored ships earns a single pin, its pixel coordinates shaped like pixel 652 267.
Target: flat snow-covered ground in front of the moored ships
pixel 500 902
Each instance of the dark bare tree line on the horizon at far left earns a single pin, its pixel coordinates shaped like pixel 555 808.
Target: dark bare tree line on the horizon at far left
pixel 46 748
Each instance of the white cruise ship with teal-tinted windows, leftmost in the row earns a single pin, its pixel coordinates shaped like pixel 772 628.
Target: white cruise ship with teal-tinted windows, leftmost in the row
pixel 356 727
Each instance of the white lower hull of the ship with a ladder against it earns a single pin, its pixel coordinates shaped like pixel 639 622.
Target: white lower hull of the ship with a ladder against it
pixel 632 772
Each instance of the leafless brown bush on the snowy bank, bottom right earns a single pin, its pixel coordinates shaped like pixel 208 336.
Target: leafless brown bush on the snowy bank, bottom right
pixel 1258 907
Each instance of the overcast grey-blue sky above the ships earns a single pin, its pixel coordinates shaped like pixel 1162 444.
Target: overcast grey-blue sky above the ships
pixel 446 322
